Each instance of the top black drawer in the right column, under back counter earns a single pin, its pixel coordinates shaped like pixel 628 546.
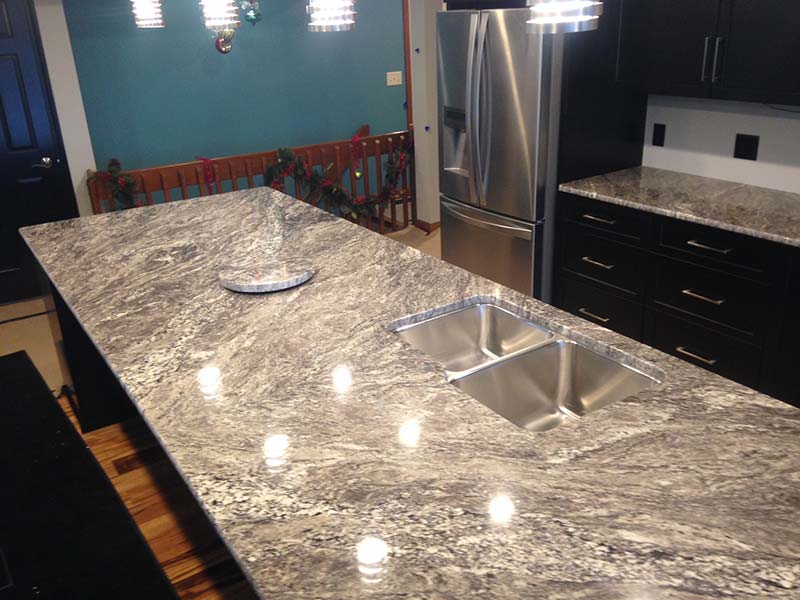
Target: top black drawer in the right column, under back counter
pixel 736 253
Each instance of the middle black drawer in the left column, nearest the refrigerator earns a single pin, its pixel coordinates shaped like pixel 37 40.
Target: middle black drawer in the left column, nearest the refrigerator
pixel 604 260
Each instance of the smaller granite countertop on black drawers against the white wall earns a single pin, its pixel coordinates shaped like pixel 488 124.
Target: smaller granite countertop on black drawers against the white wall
pixel 760 212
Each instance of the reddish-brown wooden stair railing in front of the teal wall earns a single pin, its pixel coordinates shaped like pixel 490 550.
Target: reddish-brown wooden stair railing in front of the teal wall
pixel 231 173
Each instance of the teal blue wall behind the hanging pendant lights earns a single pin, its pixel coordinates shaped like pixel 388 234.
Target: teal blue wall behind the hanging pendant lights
pixel 163 96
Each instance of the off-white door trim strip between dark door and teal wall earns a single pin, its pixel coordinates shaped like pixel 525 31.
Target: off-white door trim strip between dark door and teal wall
pixel 67 94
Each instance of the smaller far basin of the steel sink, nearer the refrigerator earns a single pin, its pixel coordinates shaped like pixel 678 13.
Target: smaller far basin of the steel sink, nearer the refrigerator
pixel 471 337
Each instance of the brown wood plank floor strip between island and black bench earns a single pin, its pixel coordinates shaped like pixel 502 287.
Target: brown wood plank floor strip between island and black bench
pixel 191 553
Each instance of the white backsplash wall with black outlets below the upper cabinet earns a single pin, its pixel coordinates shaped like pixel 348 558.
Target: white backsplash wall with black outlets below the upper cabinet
pixel 700 137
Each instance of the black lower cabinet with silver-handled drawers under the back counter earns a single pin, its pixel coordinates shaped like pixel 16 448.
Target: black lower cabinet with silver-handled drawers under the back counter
pixel 720 300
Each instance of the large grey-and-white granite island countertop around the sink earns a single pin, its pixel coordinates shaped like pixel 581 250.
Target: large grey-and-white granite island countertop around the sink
pixel 305 427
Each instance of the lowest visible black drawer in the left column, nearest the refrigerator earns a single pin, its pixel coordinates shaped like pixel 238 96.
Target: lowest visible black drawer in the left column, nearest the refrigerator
pixel 598 306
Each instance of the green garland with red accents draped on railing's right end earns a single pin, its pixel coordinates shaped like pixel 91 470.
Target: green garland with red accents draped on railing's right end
pixel 329 192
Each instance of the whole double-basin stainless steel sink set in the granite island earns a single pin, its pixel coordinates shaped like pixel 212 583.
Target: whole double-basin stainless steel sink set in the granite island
pixel 519 369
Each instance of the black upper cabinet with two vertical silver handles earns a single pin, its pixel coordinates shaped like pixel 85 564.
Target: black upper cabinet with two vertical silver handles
pixel 727 49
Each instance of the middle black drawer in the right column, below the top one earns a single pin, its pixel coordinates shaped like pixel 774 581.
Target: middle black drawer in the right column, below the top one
pixel 718 297
